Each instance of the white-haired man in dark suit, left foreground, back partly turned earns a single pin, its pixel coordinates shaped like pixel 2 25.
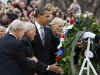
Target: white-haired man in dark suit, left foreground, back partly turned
pixel 11 50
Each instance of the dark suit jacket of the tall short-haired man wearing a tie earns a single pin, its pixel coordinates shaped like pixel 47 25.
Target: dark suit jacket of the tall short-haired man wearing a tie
pixel 46 53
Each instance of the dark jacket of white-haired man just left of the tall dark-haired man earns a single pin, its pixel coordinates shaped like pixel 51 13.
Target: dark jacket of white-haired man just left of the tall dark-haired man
pixel 33 67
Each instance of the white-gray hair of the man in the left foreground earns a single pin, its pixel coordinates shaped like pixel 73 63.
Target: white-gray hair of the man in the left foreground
pixel 16 25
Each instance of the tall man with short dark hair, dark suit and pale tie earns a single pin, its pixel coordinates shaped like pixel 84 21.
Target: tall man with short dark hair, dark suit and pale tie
pixel 45 43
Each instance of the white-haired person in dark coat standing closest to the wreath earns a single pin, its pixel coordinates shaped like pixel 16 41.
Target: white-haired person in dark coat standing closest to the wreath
pixel 57 25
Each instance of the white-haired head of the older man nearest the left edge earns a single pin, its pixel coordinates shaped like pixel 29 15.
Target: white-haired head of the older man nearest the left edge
pixel 17 28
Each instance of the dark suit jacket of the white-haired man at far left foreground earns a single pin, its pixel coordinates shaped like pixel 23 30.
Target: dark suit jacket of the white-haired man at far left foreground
pixel 11 55
